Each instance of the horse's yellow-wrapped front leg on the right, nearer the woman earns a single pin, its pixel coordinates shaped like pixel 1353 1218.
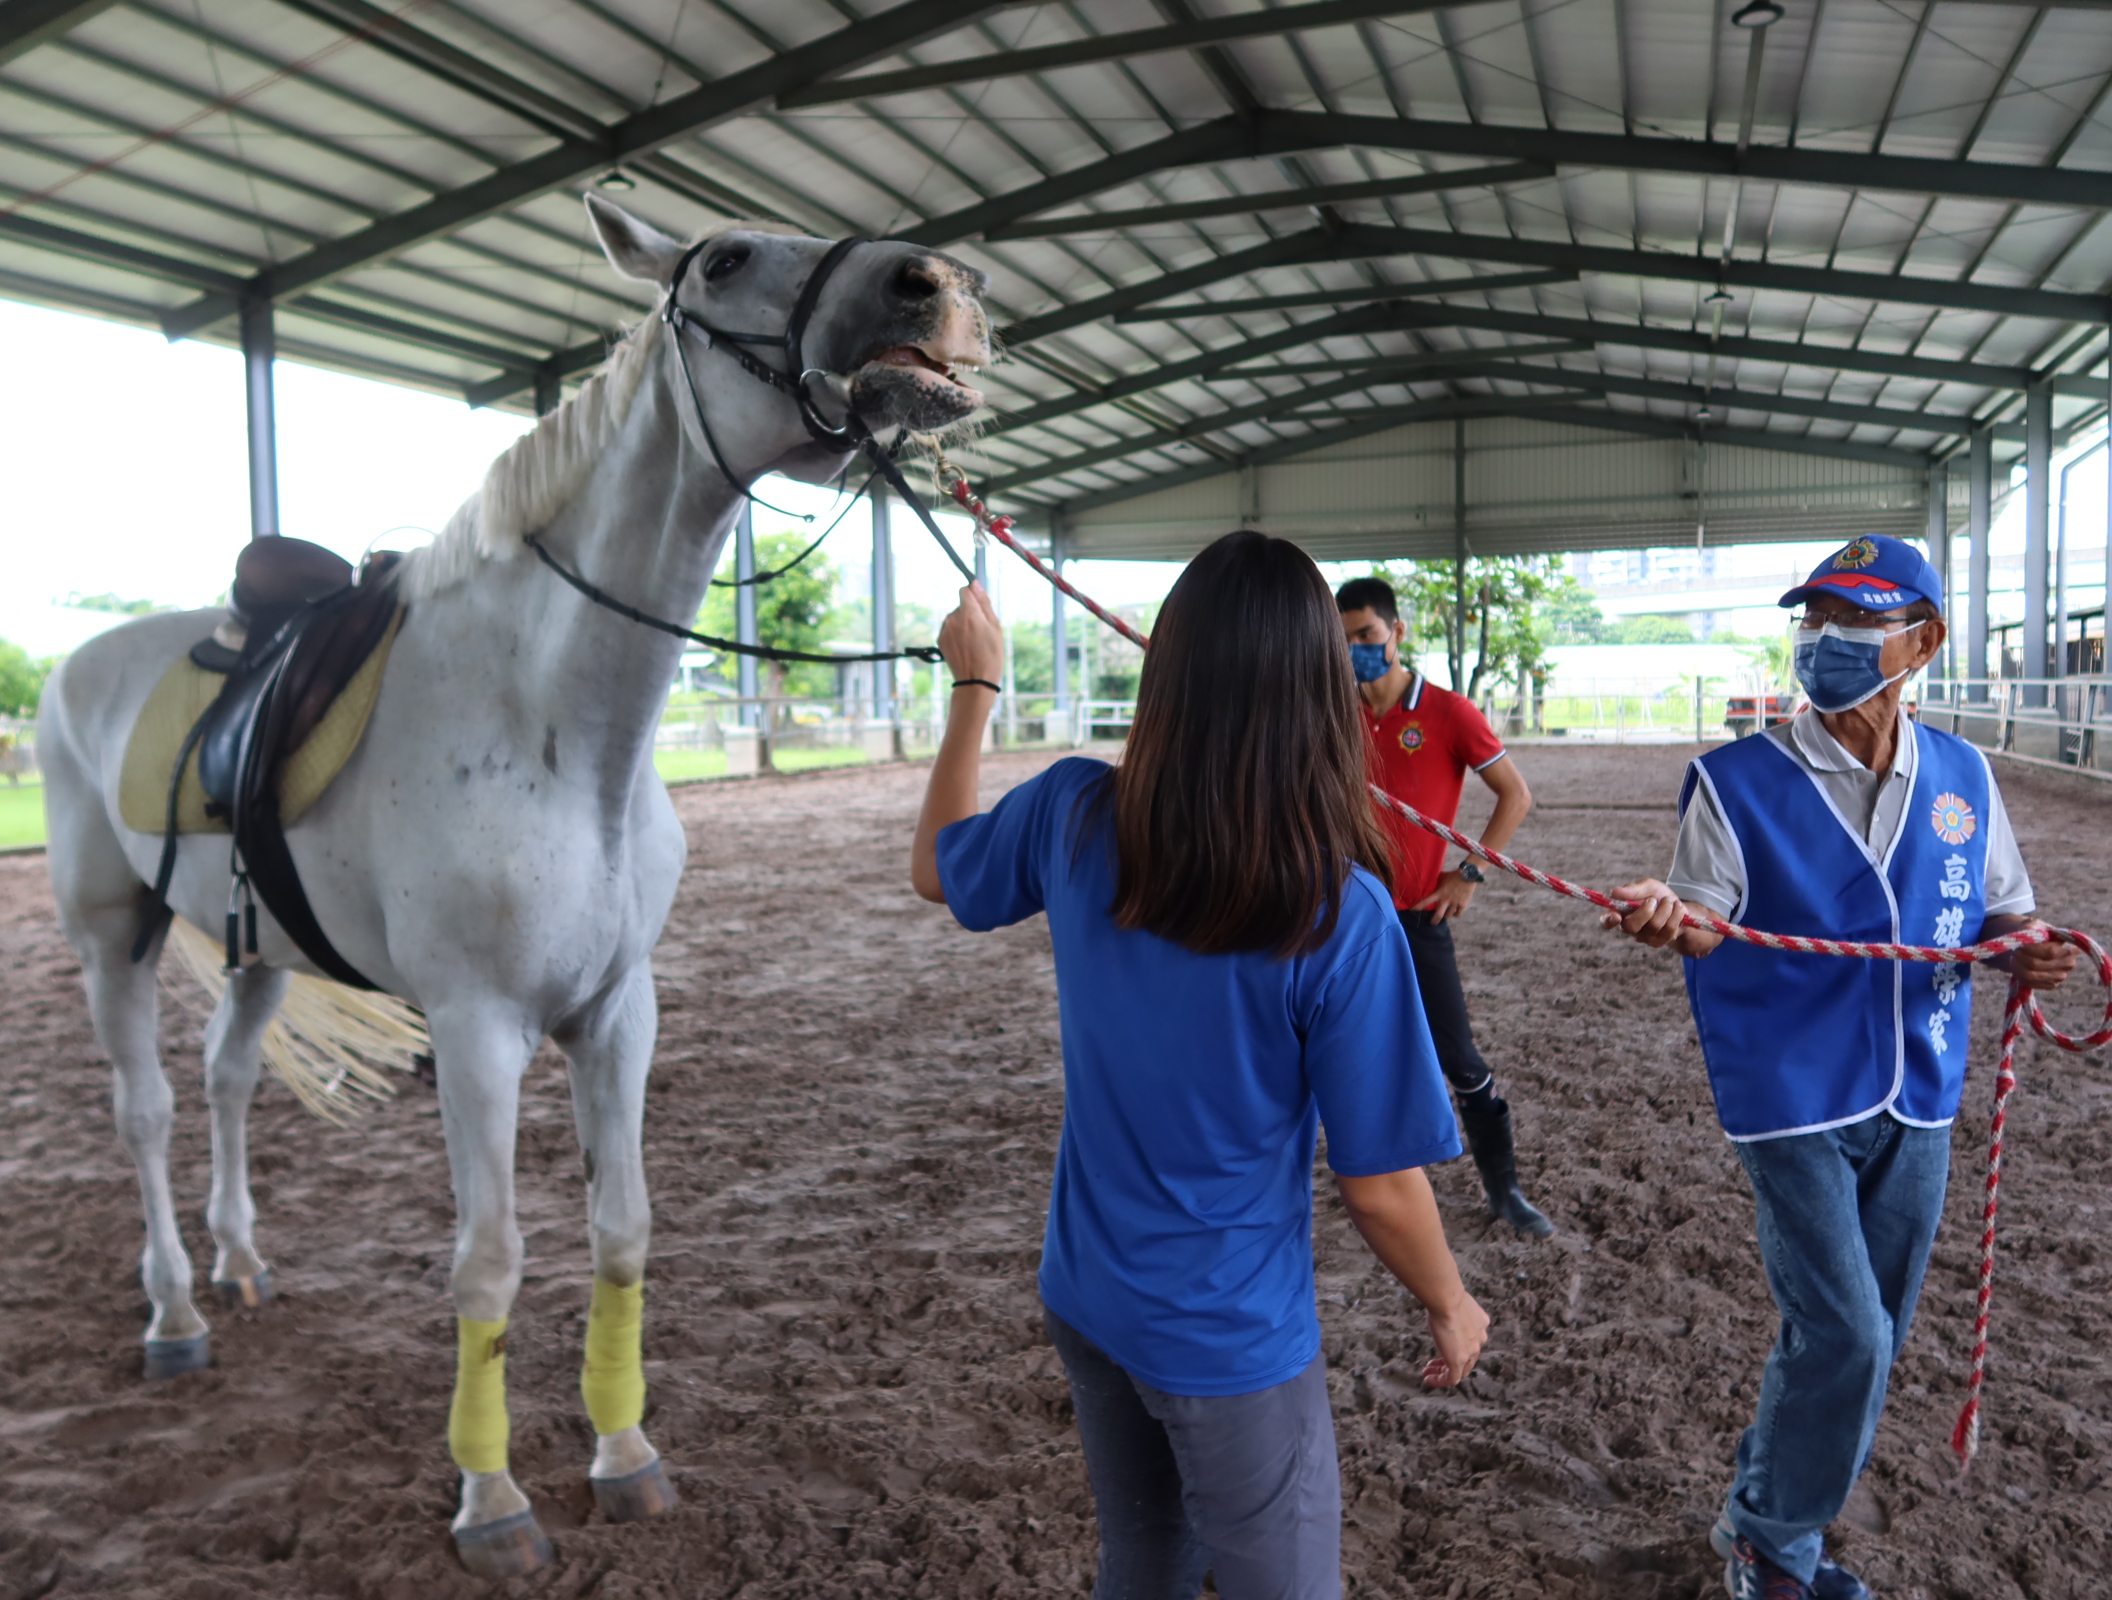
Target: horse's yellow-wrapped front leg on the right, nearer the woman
pixel 611 1052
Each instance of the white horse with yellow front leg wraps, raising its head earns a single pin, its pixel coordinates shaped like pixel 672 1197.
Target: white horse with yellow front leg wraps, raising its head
pixel 499 850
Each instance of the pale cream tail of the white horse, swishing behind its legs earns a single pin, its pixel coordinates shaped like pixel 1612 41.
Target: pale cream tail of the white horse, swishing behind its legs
pixel 328 1044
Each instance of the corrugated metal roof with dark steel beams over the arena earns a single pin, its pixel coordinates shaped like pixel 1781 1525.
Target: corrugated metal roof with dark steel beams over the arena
pixel 1858 233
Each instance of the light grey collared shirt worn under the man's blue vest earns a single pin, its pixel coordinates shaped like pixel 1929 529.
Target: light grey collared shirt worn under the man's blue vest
pixel 1710 871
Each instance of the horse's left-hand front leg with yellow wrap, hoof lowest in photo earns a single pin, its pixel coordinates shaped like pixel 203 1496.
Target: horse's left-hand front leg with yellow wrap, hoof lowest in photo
pixel 483 1052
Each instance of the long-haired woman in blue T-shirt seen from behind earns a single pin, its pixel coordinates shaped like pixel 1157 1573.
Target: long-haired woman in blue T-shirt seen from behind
pixel 1230 976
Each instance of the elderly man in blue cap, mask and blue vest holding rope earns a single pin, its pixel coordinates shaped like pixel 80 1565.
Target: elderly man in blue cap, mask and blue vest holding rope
pixel 1838 1080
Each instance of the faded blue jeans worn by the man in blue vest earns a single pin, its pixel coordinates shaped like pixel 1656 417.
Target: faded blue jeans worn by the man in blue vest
pixel 1845 1230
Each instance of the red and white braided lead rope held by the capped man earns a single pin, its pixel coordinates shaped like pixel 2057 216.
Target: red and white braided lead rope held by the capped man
pixel 2020 1008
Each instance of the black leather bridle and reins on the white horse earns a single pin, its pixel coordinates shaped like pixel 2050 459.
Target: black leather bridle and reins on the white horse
pixel 791 381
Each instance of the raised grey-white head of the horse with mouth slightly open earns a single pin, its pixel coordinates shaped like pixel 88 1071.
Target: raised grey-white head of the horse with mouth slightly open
pixel 888 332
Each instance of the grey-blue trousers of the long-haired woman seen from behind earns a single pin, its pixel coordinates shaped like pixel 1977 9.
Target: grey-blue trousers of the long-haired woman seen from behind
pixel 1186 1485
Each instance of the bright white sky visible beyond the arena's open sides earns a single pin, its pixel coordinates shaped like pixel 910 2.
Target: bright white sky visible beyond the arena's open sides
pixel 126 470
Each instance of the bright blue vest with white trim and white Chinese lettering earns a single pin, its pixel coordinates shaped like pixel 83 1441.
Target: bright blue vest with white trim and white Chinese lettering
pixel 1798 1044
